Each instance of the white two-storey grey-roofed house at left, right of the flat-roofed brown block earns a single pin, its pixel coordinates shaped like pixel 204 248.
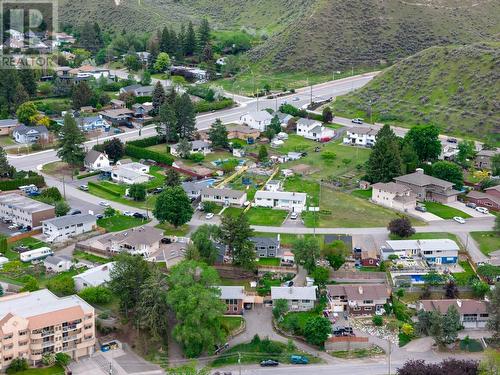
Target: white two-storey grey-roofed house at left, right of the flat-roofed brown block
pixel 61 228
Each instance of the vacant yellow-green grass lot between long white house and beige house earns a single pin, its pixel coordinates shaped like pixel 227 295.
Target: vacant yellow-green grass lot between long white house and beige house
pixel 344 210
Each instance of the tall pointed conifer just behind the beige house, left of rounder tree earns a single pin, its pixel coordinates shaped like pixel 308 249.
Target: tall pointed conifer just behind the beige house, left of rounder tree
pixel 384 162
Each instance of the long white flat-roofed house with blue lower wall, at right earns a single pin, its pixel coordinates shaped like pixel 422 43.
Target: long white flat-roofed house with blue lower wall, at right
pixel 438 251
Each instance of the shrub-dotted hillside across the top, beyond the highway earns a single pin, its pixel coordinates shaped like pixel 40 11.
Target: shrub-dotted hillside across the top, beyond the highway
pixel 319 35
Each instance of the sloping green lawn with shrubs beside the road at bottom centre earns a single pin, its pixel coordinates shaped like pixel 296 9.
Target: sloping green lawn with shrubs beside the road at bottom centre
pixel 254 352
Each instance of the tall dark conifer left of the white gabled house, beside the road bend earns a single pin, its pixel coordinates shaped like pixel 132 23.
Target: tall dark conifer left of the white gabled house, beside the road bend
pixel 71 140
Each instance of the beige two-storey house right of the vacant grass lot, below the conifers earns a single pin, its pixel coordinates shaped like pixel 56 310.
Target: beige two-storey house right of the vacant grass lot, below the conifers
pixel 394 195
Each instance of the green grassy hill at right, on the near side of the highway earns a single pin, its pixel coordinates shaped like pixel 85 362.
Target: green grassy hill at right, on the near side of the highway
pixel 456 88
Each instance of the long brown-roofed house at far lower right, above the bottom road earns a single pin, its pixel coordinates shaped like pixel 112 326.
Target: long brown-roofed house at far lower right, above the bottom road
pixel 473 313
